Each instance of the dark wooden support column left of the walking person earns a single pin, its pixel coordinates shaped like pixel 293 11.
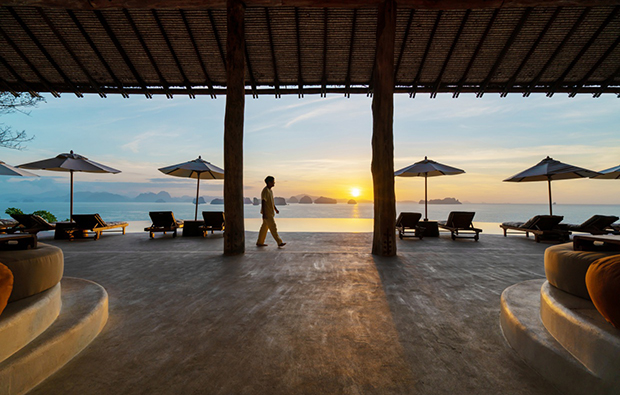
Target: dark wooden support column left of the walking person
pixel 234 237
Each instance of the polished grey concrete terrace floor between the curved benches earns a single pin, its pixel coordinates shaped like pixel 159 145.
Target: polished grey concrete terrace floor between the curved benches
pixel 320 316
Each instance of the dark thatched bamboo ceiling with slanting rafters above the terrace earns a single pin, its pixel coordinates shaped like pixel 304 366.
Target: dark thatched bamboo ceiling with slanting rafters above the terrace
pixel 297 50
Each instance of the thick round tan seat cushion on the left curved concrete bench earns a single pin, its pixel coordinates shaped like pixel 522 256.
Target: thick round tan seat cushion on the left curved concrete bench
pixel 33 270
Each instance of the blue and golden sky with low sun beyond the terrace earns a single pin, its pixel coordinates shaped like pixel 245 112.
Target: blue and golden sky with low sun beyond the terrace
pixel 322 146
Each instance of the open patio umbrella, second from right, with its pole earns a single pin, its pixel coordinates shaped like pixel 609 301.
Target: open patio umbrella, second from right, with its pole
pixel 548 170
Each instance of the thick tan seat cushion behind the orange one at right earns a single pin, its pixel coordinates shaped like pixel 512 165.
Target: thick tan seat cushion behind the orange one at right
pixel 566 269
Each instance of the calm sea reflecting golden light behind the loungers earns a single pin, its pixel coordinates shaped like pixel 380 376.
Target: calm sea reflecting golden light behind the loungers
pixel 318 217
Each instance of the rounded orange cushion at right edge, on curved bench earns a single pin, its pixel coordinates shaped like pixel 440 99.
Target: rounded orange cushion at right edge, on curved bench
pixel 603 283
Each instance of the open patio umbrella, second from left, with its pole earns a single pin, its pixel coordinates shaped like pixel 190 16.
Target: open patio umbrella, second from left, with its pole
pixel 70 162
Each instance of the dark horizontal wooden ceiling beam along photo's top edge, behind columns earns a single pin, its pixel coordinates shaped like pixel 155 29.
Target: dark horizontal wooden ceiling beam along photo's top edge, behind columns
pixel 221 4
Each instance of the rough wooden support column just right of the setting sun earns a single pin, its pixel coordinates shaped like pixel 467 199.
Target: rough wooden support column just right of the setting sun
pixel 384 237
